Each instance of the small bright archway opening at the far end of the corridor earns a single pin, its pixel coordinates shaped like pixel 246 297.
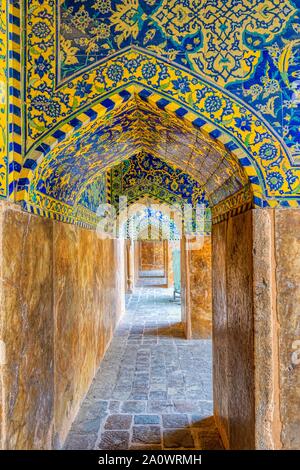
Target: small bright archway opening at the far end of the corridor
pixel 152 238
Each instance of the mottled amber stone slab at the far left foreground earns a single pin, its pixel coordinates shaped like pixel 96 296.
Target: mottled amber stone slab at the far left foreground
pixel 27 329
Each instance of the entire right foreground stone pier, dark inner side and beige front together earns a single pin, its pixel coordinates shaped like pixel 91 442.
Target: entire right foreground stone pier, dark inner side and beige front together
pixel 256 293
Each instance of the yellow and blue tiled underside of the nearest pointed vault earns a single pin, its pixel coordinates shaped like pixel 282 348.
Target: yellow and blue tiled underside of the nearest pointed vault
pixel 137 127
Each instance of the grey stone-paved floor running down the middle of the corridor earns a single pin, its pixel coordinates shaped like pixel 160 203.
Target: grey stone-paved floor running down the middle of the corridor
pixel 153 389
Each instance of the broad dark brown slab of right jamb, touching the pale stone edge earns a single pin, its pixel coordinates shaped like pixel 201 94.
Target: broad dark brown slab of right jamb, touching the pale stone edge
pixel 240 331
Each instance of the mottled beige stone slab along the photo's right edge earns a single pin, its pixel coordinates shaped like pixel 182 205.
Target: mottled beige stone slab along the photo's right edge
pixel 287 259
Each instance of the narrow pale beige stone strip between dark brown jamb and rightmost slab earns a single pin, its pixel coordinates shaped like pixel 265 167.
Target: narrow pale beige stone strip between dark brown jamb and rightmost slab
pixel 266 390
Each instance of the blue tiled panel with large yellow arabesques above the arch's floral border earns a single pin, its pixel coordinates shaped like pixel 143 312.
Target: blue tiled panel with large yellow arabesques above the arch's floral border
pixel 250 47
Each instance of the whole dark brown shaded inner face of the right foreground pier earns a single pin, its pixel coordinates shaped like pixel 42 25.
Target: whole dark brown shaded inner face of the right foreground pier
pixel 233 331
